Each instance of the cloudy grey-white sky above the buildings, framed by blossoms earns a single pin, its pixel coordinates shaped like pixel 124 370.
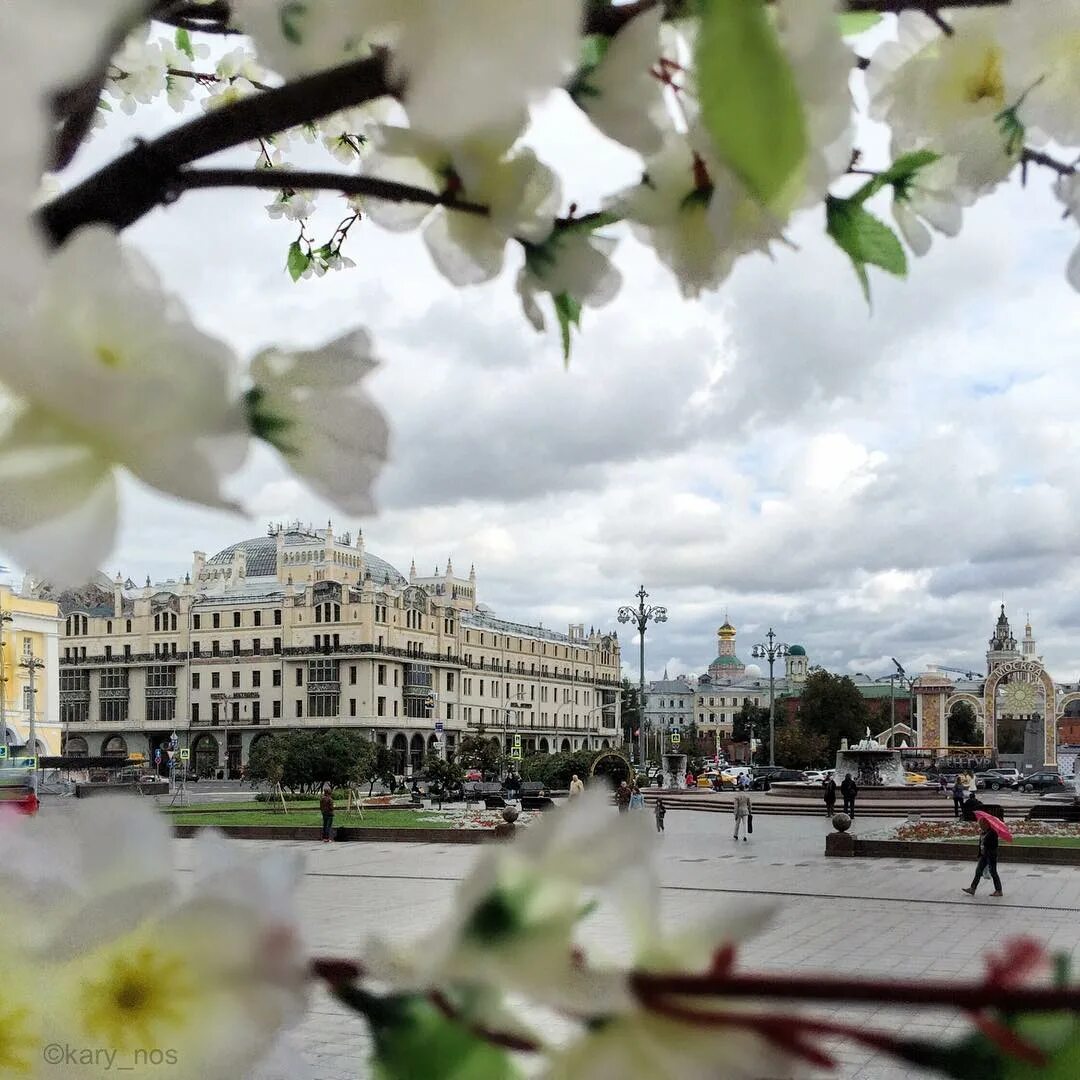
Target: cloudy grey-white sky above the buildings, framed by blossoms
pixel 870 483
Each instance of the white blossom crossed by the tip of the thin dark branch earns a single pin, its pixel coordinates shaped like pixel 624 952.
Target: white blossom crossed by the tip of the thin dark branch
pixel 522 196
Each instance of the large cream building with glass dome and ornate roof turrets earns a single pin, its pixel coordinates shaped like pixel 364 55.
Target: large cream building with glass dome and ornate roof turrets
pixel 306 629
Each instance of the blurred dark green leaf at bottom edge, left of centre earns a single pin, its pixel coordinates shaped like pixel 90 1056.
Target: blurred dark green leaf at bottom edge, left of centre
pixel 414 1041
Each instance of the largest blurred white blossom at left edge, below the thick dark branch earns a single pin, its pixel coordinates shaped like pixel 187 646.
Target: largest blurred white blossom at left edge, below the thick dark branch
pixel 110 374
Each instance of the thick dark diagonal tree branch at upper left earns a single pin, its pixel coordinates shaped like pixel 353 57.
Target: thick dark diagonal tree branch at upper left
pixel 132 185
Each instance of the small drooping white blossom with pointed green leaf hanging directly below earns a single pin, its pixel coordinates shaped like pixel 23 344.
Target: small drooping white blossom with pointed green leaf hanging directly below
pixel 574 262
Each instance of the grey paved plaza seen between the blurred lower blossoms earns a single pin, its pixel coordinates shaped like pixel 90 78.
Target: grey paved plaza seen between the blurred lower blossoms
pixel 874 917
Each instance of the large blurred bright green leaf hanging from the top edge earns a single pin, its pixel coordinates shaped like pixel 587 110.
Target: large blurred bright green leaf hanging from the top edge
pixel 749 102
